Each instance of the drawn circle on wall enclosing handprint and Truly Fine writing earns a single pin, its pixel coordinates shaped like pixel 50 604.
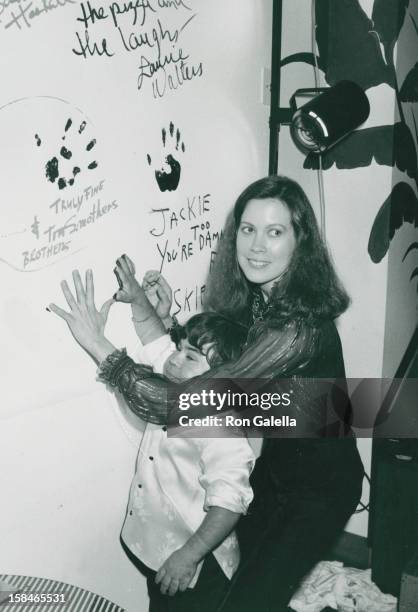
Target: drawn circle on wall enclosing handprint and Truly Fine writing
pixel 52 191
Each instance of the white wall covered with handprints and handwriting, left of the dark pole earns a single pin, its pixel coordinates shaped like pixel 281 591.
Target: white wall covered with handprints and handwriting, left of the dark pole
pixel 68 456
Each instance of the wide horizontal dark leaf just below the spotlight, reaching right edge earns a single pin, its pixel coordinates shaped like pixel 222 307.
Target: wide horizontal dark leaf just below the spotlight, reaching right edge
pixel 388 145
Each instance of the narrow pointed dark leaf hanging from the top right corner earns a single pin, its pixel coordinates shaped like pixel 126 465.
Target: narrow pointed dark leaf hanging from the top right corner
pixel 388 17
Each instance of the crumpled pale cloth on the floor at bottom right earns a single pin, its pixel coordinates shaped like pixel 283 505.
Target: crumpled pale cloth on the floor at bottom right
pixel 343 588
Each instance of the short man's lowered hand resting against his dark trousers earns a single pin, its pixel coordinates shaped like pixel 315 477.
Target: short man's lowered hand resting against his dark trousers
pixel 177 572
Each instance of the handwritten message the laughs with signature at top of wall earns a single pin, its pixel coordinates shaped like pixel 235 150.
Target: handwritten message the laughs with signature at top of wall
pixel 140 28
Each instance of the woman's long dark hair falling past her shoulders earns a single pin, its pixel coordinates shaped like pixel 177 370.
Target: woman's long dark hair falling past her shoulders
pixel 309 290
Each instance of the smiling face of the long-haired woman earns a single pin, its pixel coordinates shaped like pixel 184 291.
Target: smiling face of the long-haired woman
pixel 265 241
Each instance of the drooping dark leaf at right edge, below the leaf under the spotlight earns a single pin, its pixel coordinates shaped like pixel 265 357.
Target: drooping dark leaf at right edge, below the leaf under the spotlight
pixel 400 207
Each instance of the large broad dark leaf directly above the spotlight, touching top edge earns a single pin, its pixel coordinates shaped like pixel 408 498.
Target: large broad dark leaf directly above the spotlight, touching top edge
pixel 353 50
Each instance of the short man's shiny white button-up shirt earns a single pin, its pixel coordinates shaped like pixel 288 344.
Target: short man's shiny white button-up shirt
pixel 177 480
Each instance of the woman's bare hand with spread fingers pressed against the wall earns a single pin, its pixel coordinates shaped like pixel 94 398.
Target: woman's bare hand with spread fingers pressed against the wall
pixel 85 322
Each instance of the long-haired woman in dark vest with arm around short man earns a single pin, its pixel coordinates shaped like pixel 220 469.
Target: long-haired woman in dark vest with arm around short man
pixel 272 273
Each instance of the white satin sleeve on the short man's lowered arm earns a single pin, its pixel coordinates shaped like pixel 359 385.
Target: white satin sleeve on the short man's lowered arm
pixel 226 467
